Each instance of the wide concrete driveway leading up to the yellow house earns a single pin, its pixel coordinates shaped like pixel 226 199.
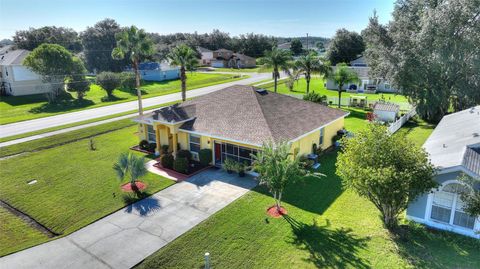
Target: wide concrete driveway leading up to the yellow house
pixel 126 237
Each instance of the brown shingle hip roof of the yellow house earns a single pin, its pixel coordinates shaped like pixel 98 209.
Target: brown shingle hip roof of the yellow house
pixel 246 114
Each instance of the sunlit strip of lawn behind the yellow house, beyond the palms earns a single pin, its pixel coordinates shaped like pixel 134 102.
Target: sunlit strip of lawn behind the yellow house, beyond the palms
pixel 317 85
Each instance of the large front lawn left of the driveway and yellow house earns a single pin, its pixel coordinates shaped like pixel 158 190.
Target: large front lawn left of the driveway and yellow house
pixel 76 186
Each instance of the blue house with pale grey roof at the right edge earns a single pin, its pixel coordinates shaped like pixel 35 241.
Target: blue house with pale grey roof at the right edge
pixel 454 148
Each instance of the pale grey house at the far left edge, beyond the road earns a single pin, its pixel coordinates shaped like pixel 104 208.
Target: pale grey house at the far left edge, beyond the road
pixel 16 79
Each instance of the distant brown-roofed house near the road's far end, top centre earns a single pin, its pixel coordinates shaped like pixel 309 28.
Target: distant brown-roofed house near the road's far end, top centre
pixel 223 58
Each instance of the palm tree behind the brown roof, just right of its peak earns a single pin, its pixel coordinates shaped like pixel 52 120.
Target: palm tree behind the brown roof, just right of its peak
pixel 277 59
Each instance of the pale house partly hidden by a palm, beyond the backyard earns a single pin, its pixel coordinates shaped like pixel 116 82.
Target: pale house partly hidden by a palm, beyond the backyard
pixel 367 84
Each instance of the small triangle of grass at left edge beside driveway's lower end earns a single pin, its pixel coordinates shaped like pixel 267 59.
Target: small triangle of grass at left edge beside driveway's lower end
pixel 16 234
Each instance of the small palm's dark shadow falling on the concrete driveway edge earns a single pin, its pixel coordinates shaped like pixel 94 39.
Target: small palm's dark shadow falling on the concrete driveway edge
pixel 141 203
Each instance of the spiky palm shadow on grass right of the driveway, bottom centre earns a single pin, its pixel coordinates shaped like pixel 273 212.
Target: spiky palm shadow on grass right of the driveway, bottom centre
pixel 336 248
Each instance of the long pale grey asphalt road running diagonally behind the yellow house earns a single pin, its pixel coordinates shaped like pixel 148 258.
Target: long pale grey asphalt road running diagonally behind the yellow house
pixel 88 114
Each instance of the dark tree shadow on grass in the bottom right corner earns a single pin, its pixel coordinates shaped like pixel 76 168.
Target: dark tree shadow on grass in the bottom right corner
pixel 425 247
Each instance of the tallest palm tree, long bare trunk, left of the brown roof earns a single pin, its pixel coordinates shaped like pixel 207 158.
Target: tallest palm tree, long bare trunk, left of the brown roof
pixel 134 44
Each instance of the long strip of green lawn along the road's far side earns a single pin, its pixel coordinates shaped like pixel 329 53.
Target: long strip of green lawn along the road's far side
pixel 20 108
